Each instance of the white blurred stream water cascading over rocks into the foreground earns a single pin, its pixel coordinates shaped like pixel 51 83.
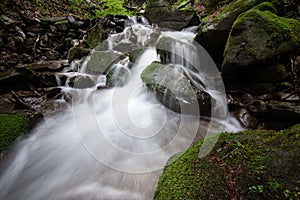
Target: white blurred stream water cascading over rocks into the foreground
pixel 110 143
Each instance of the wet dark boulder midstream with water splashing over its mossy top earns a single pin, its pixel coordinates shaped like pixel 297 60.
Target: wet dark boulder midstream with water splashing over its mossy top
pixel 173 89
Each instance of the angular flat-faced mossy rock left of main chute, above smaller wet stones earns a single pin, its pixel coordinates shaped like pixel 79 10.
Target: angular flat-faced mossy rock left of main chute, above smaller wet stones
pixel 101 61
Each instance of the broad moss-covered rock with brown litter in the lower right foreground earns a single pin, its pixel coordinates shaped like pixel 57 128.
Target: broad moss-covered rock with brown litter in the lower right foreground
pixel 246 165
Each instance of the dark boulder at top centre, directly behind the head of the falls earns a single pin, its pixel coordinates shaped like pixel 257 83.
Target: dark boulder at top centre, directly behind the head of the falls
pixel 160 12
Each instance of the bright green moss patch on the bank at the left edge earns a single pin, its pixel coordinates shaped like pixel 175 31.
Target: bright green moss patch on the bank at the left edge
pixel 11 127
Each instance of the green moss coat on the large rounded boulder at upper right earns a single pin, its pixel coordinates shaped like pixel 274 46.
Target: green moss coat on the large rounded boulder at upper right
pixel 264 34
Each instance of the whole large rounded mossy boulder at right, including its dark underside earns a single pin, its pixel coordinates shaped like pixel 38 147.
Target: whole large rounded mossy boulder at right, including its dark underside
pixel 259 39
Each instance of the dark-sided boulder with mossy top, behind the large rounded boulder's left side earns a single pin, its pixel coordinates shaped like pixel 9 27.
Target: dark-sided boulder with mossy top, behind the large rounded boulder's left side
pixel 215 30
